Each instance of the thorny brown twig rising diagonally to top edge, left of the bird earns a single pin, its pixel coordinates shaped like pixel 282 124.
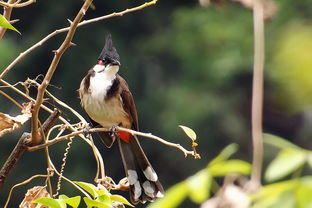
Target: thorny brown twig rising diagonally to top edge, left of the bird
pixel 58 54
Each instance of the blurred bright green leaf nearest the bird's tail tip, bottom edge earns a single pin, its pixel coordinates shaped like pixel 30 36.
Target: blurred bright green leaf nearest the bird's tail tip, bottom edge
pixel 173 197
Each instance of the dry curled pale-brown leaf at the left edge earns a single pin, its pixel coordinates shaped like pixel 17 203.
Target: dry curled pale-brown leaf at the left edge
pixel 9 123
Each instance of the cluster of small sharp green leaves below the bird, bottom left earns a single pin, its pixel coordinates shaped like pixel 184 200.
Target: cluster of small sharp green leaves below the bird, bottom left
pixel 100 197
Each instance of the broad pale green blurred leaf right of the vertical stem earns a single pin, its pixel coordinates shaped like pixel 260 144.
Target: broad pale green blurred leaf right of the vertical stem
pixel 286 162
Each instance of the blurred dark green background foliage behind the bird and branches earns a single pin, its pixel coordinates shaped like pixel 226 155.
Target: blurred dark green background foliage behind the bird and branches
pixel 185 64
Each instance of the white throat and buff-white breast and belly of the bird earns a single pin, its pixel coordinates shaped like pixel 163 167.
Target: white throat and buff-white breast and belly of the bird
pixel 106 112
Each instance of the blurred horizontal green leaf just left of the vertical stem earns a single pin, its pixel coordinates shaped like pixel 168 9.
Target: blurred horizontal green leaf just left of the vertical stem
pixel 230 166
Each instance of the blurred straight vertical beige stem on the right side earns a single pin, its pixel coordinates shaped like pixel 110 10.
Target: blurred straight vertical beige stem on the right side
pixel 257 95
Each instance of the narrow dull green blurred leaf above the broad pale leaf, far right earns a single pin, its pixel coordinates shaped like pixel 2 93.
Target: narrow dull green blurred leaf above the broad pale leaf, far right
pixel 279 142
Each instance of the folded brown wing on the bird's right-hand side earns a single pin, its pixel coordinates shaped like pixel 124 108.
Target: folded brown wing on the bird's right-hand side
pixel 128 103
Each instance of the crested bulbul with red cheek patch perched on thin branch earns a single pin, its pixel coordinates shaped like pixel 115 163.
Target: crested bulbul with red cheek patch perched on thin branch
pixel 106 98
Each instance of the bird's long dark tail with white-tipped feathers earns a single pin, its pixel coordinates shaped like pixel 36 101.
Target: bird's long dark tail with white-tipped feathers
pixel 143 180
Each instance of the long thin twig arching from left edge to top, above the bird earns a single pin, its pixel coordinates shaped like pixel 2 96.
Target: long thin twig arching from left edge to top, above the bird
pixel 85 22
